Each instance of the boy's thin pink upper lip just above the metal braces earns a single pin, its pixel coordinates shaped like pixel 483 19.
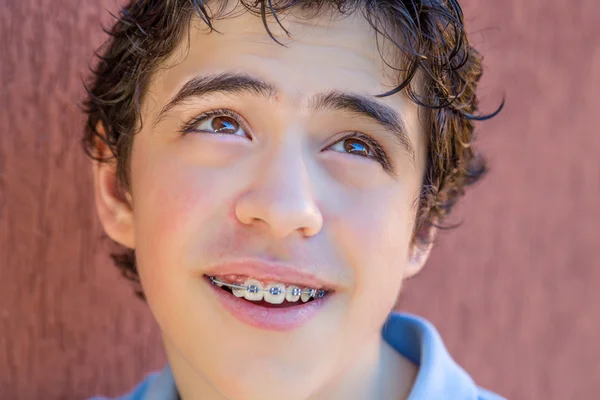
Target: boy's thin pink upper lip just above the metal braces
pixel 269 271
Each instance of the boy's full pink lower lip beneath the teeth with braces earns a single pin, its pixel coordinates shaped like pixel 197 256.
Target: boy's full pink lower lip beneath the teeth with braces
pixel 274 319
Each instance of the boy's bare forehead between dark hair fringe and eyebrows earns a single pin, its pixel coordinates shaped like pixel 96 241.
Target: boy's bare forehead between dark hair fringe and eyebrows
pixel 322 53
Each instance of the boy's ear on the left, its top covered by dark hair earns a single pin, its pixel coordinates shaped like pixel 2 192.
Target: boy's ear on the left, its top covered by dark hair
pixel 113 204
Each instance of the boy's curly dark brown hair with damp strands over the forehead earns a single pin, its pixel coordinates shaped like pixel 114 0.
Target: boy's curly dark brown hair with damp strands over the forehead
pixel 432 44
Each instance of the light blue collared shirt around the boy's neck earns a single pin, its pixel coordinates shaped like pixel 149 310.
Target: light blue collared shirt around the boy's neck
pixel 439 376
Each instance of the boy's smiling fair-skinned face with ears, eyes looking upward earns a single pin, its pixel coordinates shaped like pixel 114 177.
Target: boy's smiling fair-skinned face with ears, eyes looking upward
pixel 286 175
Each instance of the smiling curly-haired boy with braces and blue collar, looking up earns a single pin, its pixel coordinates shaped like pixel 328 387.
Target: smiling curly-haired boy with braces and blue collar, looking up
pixel 276 170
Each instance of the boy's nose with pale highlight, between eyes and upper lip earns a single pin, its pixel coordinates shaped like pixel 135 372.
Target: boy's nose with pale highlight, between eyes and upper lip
pixel 281 198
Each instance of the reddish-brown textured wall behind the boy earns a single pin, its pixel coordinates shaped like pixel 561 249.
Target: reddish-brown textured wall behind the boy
pixel 512 291
